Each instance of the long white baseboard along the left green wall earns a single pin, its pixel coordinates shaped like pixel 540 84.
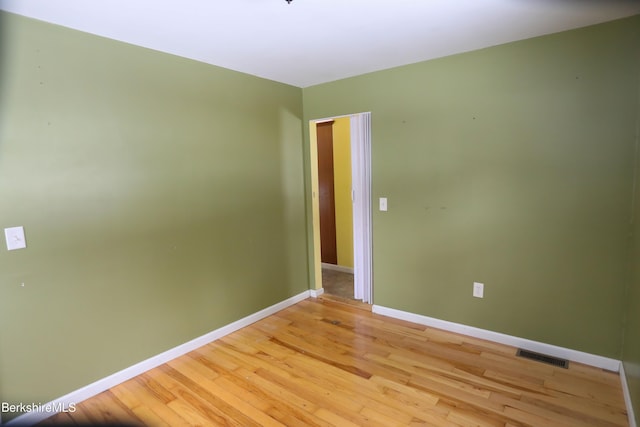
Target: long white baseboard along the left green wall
pixel 34 417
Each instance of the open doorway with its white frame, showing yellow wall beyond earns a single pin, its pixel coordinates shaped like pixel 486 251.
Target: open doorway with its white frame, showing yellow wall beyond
pixel 357 255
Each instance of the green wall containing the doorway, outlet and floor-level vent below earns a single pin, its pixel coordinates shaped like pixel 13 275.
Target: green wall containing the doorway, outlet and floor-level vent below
pixel 510 166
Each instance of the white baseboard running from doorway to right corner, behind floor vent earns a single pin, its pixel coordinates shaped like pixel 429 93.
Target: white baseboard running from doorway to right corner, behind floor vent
pixel 538 347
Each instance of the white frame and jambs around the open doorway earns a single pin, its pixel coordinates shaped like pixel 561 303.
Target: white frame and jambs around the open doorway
pixel 360 124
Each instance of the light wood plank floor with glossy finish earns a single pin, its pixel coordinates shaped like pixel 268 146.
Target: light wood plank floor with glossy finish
pixel 324 363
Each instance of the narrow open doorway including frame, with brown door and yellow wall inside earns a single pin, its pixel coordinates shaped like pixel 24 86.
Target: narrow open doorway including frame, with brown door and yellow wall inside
pixel 352 237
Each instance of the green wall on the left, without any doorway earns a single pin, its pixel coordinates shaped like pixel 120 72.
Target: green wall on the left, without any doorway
pixel 161 198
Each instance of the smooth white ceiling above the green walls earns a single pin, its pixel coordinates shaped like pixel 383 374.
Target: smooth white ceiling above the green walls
pixel 314 41
